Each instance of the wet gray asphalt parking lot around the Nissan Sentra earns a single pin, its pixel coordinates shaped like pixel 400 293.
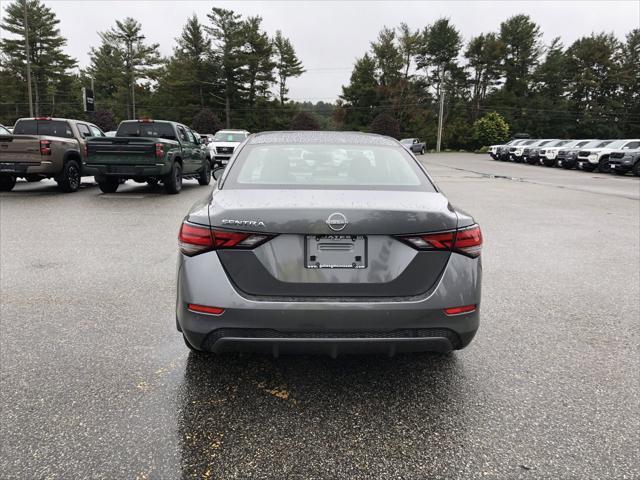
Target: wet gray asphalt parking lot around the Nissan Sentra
pixel 96 383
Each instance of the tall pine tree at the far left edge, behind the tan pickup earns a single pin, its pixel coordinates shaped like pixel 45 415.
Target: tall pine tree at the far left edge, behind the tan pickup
pixel 49 64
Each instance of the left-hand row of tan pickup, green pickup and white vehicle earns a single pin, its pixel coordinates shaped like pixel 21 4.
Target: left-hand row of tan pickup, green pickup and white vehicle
pixel 142 150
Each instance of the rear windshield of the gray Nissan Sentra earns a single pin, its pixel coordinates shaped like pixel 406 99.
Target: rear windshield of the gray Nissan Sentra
pixel 327 167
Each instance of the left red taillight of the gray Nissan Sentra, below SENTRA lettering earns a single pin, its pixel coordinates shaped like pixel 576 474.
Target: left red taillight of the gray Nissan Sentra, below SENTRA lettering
pixel 196 239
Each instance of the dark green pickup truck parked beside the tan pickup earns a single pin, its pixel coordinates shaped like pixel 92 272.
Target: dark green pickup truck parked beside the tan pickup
pixel 149 151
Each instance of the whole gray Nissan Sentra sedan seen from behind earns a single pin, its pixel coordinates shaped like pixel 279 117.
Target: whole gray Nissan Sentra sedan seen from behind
pixel 327 242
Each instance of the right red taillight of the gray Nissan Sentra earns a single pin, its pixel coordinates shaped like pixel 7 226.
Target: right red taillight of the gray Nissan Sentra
pixel 467 241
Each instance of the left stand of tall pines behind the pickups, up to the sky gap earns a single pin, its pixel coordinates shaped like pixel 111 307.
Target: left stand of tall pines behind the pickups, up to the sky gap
pixel 222 72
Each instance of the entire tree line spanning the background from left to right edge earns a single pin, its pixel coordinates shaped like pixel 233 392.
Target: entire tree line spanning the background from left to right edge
pixel 226 71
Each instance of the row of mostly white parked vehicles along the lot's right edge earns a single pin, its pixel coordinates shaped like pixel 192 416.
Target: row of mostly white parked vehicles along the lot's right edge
pixel 618 156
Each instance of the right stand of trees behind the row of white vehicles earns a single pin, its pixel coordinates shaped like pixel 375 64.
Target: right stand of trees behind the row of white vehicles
pixel 588 89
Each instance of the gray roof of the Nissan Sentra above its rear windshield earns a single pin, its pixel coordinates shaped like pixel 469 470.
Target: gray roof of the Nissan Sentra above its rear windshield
pixel 321 137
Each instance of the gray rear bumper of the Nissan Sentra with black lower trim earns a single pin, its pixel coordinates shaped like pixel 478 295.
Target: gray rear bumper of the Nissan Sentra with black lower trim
pixel 331 326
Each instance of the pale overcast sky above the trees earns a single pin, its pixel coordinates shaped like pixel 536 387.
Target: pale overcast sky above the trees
pixel 328 36
